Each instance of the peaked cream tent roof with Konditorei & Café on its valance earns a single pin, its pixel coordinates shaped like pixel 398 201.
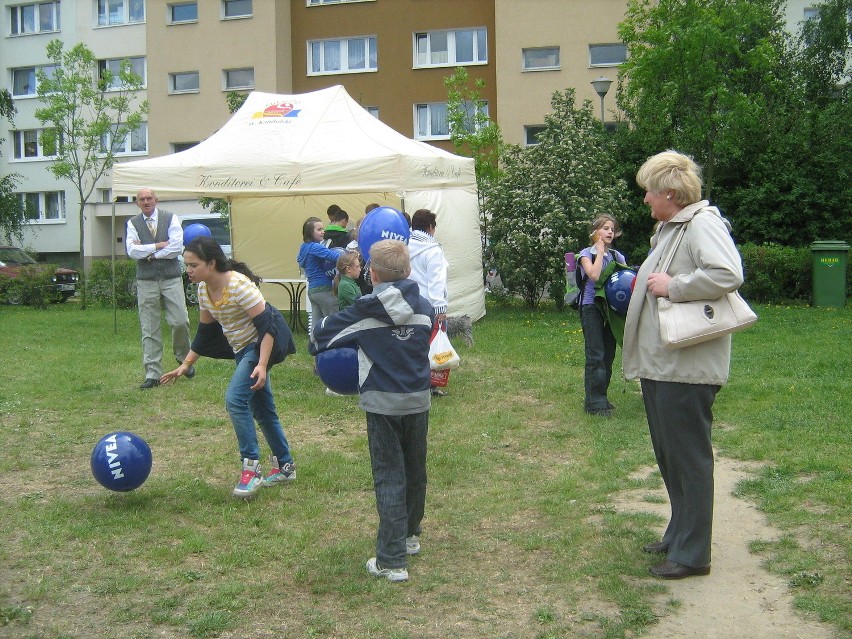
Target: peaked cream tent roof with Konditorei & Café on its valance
pixel 309 143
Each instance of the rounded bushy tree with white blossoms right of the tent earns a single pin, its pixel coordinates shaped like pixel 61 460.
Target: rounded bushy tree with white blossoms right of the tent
pixel 546 196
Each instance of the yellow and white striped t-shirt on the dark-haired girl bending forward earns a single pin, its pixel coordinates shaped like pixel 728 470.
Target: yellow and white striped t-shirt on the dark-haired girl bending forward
pixel 239 295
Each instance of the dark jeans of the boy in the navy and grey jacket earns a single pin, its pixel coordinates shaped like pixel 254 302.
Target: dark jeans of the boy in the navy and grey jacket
pixel 398 457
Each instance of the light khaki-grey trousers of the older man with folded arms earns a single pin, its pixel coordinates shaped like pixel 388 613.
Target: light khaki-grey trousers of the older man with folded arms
pixel 154 296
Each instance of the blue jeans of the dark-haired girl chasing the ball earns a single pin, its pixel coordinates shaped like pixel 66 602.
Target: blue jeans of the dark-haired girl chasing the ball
pixel 245 406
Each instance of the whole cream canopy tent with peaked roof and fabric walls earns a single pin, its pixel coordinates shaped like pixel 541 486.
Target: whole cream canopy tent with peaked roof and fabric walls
pixel 283 158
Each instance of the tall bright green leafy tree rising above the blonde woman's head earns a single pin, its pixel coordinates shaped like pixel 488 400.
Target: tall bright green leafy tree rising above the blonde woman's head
pixel 700 76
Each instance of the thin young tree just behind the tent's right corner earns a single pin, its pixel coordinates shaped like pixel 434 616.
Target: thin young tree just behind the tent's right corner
pixel 474 135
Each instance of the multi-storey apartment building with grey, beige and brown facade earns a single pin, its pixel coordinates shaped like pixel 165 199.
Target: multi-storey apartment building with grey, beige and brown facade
pixel 391 55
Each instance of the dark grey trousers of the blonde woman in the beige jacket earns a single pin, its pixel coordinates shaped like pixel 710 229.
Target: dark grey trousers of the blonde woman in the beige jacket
pixel 680 419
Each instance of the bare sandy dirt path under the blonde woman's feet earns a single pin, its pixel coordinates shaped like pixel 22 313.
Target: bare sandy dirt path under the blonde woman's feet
pixel 739 599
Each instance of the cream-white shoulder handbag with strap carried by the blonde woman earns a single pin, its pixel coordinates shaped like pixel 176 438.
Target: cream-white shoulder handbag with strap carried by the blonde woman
pixel 688 323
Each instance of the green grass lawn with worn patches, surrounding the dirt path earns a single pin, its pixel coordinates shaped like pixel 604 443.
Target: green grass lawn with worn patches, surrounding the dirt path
pixel 520 537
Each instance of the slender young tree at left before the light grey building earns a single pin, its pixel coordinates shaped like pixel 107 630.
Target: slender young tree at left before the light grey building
pixel 87 111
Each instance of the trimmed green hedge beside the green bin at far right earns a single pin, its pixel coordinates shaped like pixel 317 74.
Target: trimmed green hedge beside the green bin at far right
pixel 777 274
